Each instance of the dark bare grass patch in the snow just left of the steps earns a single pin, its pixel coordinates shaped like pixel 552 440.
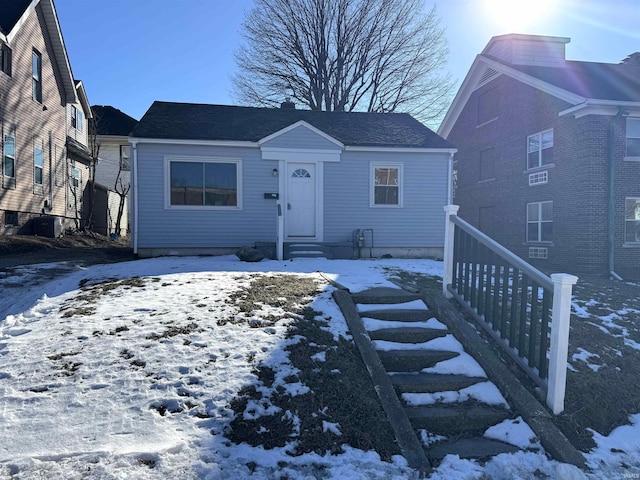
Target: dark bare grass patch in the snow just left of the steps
pixel 340 392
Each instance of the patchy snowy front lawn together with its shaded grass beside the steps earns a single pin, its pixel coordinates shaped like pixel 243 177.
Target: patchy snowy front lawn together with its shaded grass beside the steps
pixel 150 369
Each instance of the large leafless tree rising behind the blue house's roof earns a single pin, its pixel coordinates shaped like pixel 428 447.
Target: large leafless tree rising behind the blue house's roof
pixel 345 55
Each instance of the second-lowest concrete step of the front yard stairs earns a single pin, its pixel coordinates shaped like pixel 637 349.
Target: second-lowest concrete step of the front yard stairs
pixel 454 419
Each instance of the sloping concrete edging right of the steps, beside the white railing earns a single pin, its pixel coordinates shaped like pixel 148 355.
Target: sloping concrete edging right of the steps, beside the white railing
pixel 525 403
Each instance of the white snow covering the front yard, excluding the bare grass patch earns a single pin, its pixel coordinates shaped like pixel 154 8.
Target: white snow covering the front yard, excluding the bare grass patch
pixel 95 384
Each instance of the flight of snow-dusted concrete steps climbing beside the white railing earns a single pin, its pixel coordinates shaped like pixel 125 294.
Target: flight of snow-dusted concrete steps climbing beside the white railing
pixel 412 349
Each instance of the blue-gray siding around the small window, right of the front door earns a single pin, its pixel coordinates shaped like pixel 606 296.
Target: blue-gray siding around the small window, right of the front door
pixel 418 223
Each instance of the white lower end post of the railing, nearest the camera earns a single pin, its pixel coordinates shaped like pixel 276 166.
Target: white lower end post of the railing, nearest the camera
pixel 560 319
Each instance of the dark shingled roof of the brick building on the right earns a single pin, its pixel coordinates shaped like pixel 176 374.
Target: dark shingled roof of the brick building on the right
pixel 603 81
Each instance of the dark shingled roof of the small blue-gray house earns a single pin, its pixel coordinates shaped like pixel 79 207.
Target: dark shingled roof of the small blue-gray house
pixel 221 122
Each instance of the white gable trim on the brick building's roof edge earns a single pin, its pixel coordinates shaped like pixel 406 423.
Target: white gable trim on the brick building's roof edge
pixel 473 81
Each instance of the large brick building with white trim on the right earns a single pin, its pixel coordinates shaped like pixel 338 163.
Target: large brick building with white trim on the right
pixel 548 160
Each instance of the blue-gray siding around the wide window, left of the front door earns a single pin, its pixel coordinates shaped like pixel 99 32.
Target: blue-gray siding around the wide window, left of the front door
pixel 162 228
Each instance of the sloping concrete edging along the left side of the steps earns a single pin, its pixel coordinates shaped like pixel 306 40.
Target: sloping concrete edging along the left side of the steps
pixel 409 444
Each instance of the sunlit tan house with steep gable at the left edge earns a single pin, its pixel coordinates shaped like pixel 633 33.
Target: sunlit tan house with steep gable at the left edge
pixel 43 121
